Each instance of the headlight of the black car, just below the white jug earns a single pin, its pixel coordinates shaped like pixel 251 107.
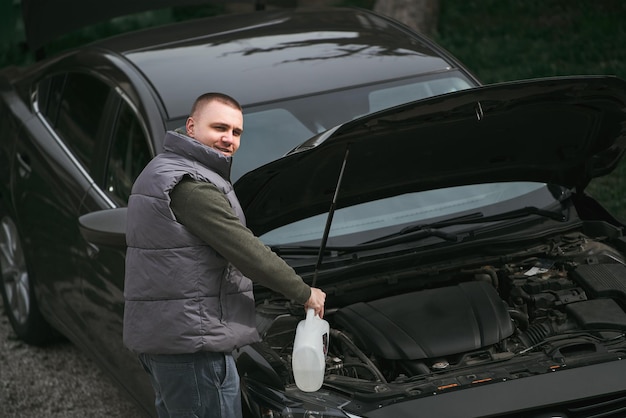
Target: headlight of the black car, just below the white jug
pixel 293 403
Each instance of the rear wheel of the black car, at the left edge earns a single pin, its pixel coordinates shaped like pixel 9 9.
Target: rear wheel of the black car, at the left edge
pixel 18 295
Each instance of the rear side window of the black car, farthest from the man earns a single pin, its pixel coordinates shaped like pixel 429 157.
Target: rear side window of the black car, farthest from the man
pixel 74 106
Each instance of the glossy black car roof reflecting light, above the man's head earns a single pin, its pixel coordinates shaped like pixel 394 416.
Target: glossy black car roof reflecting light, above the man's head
pixel 288 53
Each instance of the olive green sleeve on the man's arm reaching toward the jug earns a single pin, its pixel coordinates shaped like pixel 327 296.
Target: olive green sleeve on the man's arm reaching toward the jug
pixel 205 211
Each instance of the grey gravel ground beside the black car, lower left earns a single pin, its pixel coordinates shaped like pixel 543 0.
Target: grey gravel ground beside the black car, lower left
pixel 54 381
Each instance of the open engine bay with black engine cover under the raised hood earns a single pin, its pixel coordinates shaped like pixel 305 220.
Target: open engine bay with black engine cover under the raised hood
pixel 559 304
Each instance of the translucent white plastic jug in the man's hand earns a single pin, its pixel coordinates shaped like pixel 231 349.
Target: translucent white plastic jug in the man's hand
pixel 309 352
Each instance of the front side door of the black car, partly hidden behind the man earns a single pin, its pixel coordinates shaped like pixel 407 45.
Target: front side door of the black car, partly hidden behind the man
pixel 122 154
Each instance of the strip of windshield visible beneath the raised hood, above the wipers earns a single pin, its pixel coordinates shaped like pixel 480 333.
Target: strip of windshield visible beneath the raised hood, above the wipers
pixel 364 222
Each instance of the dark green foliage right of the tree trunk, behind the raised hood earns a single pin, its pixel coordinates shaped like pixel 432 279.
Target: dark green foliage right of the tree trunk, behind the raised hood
pixel 503 40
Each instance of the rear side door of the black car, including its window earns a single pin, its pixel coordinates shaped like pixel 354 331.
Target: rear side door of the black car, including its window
pixel 51 178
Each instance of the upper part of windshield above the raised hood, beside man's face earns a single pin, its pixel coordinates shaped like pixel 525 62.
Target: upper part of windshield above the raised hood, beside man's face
pixel 273 129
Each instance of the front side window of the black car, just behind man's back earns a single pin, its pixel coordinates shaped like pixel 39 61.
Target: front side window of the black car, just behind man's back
pixel 128 155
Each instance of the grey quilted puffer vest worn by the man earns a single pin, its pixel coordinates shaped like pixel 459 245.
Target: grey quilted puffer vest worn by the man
pixel 181 296
